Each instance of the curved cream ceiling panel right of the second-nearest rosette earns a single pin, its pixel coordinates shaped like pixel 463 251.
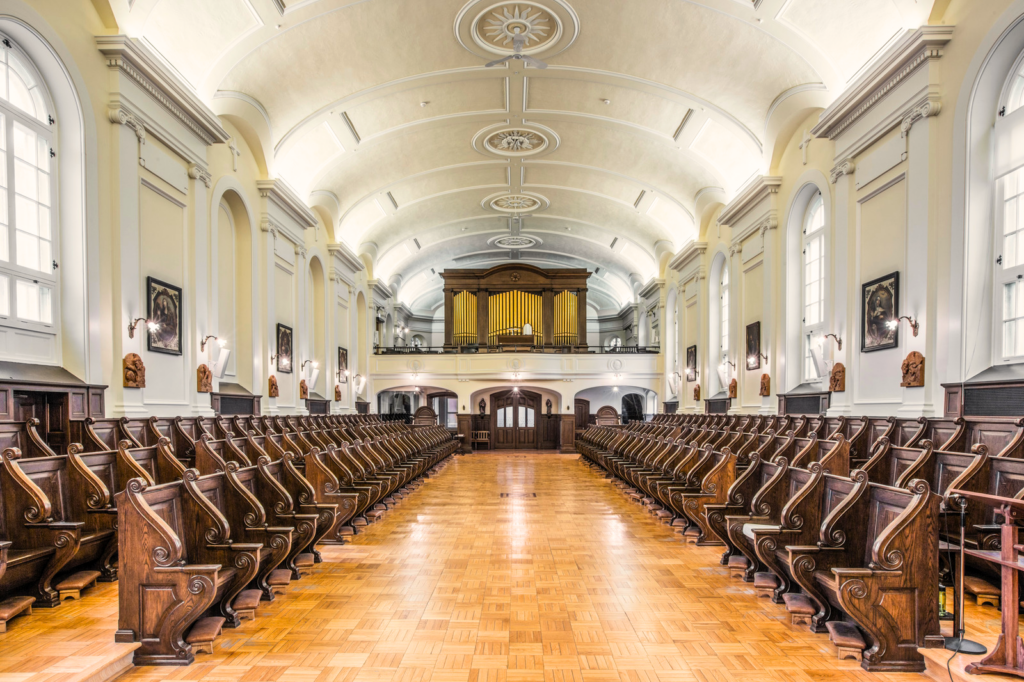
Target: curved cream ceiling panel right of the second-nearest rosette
pixel 621 151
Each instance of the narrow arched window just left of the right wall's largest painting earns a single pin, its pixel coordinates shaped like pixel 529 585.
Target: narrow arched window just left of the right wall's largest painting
pixel 814 283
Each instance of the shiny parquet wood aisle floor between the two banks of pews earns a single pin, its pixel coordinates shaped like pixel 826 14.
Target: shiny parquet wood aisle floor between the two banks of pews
pixel 520 568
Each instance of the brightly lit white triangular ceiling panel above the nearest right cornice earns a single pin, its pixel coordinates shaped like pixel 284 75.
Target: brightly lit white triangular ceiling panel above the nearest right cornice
pixel 849 32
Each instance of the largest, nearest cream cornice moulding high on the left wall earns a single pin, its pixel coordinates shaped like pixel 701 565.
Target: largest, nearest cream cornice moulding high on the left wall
pixel 136 62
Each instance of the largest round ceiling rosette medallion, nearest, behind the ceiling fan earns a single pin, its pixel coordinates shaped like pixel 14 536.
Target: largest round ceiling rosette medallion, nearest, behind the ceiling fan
pixel 487 28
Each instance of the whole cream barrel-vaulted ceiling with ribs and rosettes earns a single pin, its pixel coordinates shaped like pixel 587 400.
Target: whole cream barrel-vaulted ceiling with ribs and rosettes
pixel 383 114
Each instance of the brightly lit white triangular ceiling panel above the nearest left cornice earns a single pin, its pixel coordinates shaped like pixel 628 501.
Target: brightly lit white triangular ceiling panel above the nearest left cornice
pixel 194 46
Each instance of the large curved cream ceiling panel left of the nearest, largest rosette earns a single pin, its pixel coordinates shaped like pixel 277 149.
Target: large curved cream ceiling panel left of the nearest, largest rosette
pixel 348 51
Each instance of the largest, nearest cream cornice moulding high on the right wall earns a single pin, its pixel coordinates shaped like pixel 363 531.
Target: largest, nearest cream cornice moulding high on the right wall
pixel 915 51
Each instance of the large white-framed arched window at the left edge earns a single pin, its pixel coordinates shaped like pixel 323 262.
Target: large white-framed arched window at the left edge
pixel 29 295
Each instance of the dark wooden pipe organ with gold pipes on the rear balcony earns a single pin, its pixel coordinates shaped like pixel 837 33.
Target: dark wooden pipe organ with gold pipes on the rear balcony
pixel 516 305
